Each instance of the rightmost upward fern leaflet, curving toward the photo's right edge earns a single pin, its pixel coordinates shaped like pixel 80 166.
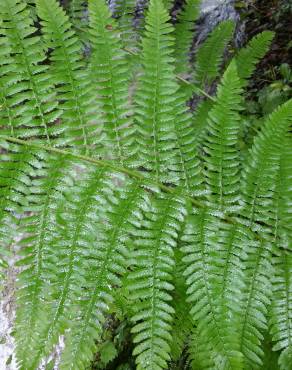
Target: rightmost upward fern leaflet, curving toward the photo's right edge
pixel 260 171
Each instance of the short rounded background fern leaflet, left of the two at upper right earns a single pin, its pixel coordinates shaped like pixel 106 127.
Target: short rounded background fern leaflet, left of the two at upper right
pixel 210 54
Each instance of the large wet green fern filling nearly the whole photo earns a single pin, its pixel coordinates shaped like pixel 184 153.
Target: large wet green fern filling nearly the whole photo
pixel 123 196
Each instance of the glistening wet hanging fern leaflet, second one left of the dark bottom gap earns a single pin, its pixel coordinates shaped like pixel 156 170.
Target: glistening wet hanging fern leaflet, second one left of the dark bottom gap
pixel 71 250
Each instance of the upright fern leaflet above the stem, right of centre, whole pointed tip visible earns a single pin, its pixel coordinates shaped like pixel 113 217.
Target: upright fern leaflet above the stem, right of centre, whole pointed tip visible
pixel 221 153
